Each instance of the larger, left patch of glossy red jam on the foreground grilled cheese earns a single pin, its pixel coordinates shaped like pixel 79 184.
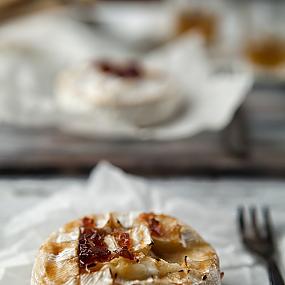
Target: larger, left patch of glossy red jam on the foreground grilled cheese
pixel 92 248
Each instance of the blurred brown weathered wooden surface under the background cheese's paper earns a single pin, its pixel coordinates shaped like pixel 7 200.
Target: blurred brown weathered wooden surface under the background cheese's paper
pixel 254 144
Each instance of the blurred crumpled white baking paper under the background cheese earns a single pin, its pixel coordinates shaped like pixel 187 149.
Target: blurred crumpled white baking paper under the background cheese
pixel 34 50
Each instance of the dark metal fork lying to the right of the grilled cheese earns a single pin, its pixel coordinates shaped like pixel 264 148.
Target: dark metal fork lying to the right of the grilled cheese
pixel 258 238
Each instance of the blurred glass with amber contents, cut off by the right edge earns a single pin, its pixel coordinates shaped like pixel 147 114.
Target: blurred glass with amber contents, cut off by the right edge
pixel 264 34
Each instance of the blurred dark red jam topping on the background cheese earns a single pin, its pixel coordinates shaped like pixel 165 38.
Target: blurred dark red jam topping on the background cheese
pixel 129 70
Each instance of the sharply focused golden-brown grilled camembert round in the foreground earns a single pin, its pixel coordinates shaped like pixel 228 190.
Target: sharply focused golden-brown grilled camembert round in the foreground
pixel 126 248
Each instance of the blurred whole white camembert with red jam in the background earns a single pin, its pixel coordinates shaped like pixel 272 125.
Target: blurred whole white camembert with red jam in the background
pixel 125 90
